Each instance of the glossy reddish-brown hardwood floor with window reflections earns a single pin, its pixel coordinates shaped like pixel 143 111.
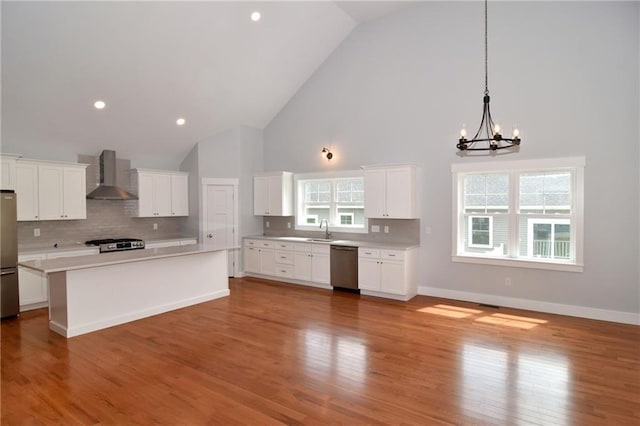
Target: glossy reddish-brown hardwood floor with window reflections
pixel 282 354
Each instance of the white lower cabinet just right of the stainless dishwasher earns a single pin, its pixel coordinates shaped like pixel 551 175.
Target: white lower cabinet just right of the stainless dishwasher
pixel 388 273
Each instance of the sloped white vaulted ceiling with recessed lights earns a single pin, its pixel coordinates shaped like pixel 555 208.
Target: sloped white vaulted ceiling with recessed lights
pixel 153 62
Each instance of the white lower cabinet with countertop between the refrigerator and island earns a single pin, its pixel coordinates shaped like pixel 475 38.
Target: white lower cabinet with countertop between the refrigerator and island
pixel 32 285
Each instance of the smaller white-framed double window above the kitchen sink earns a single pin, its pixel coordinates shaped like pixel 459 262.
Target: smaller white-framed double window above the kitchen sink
pixel 338 199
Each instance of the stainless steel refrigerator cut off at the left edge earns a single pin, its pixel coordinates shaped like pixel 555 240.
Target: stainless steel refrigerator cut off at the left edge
pixel 9 298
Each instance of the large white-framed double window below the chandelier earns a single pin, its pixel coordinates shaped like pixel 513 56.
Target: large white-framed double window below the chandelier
pixel 519 213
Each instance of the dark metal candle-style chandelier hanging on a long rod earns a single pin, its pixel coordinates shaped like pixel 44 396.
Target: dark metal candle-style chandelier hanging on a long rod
pixel 488 136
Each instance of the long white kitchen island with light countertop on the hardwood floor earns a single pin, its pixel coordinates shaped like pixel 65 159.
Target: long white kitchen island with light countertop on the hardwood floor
pixel 89 293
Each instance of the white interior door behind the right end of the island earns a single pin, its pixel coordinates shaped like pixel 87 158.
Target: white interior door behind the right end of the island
pixel 219 223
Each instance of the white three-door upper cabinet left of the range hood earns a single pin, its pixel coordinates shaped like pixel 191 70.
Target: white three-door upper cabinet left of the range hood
pixel 51 191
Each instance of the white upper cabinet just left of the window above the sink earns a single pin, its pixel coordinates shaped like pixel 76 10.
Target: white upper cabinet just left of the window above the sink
pixel 273 194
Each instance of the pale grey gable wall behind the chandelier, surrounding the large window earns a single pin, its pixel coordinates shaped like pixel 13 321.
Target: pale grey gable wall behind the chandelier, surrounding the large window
pixel 399 88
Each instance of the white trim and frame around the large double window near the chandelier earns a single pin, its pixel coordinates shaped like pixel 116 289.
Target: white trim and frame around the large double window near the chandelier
pixel 577 164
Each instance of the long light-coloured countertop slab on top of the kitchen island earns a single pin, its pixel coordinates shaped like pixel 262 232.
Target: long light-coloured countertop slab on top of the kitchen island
pixel 114 258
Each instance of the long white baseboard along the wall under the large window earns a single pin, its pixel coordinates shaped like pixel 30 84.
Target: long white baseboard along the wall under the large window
pixel 534 305
